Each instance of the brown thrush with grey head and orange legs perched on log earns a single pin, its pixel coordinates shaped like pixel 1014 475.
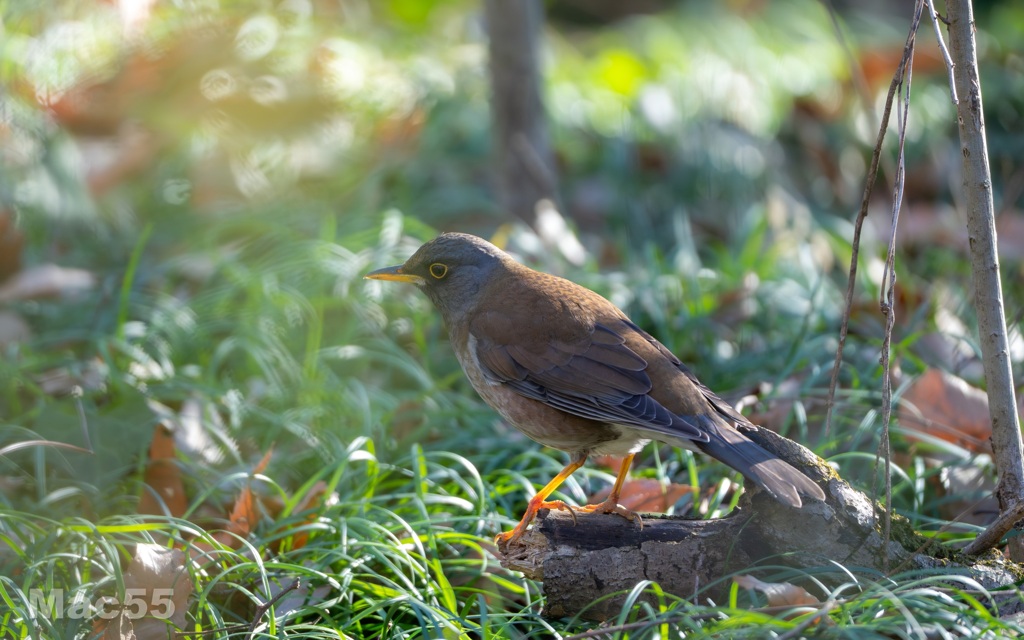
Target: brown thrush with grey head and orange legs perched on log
pixel 570 370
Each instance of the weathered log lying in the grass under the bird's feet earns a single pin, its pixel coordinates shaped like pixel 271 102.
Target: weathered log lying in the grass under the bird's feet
pixel 582 562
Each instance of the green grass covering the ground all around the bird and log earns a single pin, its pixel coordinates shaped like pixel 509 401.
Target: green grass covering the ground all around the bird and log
pixel 242 321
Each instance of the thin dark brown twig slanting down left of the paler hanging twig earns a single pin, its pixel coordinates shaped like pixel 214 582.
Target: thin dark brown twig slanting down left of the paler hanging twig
pixel 873 174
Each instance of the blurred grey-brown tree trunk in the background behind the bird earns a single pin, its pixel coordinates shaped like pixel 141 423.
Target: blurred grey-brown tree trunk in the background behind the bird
pixel 524 160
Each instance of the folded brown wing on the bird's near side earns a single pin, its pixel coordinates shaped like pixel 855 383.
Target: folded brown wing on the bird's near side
pixel 587 370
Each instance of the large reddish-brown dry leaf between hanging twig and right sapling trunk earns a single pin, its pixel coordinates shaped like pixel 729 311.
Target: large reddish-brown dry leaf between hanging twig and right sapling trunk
pixel 946 407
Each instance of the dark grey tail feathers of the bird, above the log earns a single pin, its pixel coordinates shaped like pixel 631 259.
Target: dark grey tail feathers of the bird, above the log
pixel 781 480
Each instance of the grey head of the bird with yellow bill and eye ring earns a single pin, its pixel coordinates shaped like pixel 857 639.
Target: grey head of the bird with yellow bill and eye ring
pixel 451 270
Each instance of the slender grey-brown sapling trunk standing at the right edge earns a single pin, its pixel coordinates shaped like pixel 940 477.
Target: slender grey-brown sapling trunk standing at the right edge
pixel 1007 447
